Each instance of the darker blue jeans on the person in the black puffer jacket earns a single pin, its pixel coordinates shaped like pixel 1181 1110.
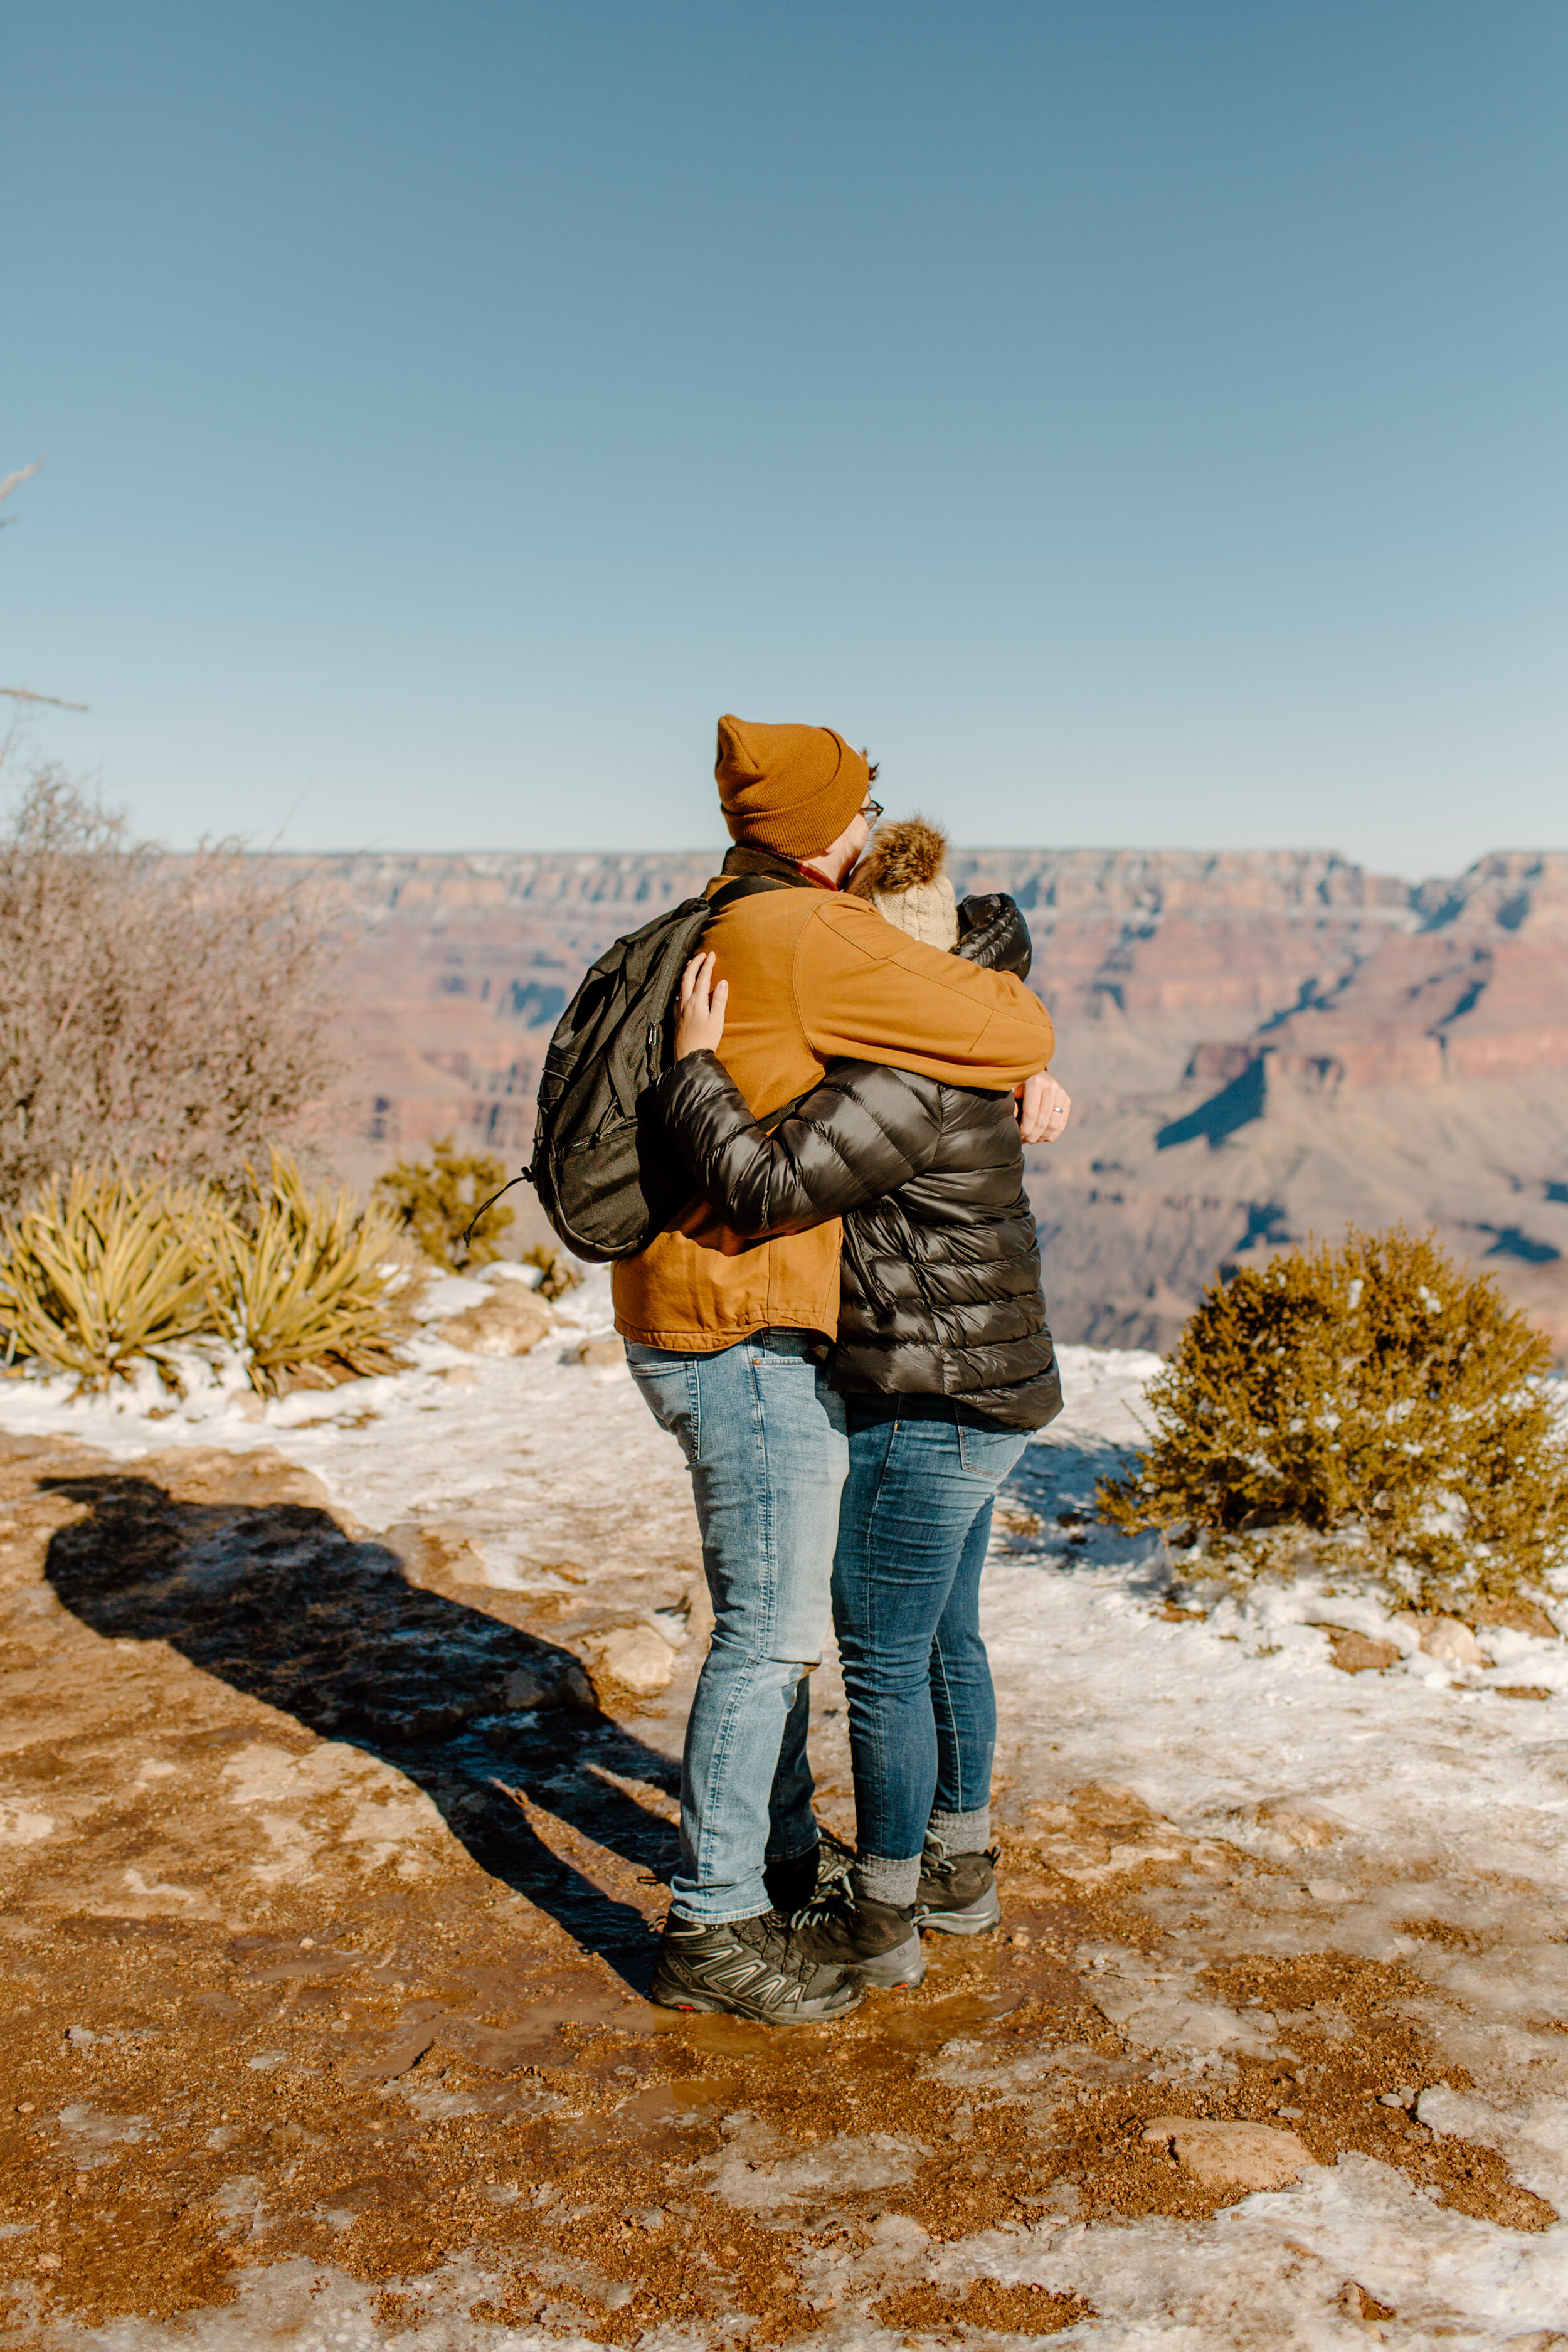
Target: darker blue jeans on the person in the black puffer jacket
pixel 906 1605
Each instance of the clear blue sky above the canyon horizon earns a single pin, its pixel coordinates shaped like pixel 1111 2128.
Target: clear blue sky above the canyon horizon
pixel 1134 420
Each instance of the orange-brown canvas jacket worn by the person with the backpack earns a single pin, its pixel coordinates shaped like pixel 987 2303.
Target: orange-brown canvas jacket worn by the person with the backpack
pixel 817 977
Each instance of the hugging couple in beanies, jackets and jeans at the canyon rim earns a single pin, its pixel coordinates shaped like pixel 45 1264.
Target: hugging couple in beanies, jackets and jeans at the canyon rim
pixel 850 1342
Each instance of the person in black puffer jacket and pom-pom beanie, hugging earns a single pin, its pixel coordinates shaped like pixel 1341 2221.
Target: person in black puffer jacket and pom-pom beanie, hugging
pixel 946 1368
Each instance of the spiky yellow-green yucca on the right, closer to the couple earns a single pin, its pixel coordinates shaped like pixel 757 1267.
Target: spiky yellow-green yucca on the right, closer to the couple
pixel 304 1283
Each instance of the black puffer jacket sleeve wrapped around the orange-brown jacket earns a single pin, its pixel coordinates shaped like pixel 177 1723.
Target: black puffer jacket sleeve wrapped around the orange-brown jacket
pixel 859 1135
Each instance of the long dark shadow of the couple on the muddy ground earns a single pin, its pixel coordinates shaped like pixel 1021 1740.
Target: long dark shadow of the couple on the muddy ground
pixel 283 1605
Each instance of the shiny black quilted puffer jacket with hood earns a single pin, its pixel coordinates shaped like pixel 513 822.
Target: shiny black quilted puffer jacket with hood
pixel 939 1292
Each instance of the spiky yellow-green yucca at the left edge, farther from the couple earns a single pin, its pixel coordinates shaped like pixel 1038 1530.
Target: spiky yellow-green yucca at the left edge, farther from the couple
pixel 107 1274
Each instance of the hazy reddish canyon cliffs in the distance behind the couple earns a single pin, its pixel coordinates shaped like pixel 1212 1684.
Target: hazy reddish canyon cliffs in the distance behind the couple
pixel 1259 1045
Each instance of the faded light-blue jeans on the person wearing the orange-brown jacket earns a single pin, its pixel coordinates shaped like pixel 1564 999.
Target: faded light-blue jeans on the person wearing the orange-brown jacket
pixel 768 1450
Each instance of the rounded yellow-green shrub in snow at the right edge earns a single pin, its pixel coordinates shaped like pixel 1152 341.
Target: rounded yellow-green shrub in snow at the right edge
pixel 1369 1394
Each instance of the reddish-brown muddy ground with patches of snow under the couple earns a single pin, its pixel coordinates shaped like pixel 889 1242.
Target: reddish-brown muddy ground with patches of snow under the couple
pixel 333 1824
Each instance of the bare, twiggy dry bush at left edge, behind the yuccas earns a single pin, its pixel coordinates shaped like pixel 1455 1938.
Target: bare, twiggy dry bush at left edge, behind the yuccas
pixel 168 1013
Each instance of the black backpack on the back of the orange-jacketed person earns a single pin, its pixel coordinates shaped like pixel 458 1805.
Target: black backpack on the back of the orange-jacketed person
pixel 605 1170
